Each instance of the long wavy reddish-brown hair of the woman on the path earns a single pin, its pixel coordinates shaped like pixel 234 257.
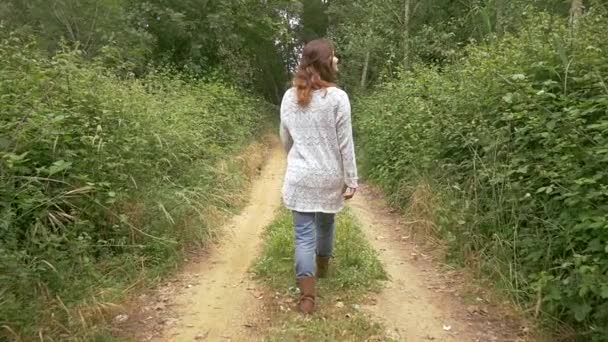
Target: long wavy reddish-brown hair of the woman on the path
pixel 315 70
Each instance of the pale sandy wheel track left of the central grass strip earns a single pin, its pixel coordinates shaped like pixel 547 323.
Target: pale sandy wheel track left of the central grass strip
pixel 221 298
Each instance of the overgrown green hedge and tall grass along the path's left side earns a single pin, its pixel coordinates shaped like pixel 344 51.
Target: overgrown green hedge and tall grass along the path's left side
pixel 103 178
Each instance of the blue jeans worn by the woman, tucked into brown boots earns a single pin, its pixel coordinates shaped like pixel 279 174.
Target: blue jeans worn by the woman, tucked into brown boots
pixel 314 235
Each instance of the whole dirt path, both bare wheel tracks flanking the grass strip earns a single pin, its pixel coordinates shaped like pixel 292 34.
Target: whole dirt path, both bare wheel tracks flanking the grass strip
pixel 216 299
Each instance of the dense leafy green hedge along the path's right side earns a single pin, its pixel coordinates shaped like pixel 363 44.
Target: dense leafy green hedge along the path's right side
pixel 514 138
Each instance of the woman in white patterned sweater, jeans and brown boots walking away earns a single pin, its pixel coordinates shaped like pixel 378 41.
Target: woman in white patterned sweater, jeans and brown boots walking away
pixel 321 168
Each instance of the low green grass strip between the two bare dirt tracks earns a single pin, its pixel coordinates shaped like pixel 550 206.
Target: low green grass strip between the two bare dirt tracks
pixel 354 272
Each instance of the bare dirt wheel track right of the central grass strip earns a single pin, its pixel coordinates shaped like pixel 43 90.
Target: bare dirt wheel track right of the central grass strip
pixel 420 302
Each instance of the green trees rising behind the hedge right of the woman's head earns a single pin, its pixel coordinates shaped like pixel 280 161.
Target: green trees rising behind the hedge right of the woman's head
pixel 388 38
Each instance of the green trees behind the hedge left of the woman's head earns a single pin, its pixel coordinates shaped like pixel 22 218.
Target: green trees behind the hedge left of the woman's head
pixel 245 42
